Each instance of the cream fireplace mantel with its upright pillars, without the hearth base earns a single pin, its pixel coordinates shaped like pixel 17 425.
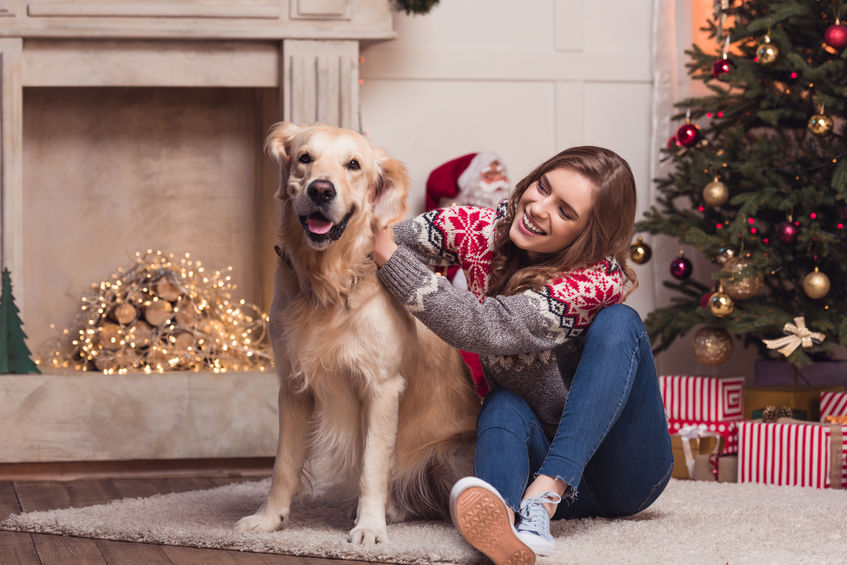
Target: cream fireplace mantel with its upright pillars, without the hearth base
pixel 307 49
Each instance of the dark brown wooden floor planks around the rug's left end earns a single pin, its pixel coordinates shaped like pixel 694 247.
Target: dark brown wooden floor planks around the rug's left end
pixel 34 549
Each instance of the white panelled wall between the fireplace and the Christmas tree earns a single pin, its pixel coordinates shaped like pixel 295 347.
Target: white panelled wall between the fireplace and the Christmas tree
pixel 525 79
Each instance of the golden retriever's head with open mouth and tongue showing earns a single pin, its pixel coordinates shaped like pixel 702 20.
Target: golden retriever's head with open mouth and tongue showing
pixel 333 178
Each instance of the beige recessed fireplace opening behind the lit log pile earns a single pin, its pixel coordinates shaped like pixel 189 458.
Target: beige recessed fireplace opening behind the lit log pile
pixel 109 172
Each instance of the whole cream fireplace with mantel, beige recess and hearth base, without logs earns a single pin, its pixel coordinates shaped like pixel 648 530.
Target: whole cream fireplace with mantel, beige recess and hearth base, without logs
pixel 133 125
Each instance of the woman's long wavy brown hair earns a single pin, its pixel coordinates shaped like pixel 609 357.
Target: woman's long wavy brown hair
pixel 608 231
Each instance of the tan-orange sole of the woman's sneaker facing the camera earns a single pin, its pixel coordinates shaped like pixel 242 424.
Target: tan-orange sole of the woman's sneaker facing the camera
pixel 483 521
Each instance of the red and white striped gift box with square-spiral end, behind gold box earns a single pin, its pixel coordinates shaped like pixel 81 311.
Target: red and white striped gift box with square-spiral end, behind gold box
pixel 713 399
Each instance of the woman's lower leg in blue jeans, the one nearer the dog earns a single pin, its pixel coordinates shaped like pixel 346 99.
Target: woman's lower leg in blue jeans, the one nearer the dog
pixel 510 444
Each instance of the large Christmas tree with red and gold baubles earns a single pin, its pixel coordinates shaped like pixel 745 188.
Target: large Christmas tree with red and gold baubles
pixel 758 183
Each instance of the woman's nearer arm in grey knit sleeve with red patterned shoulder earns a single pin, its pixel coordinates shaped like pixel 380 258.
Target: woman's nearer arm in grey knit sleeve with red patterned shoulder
pixel 503 325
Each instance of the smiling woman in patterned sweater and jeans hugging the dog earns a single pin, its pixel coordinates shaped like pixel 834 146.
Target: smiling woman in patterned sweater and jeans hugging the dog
pixel 546 275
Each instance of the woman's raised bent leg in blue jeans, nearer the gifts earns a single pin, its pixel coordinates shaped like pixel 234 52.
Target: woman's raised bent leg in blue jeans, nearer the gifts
pixel 613 440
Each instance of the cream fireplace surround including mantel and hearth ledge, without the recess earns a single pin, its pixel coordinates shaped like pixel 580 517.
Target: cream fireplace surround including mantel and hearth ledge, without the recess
pixel 304 51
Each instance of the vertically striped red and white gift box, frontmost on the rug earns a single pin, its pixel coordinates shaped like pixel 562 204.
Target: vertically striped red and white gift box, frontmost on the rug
pixel 795 454
